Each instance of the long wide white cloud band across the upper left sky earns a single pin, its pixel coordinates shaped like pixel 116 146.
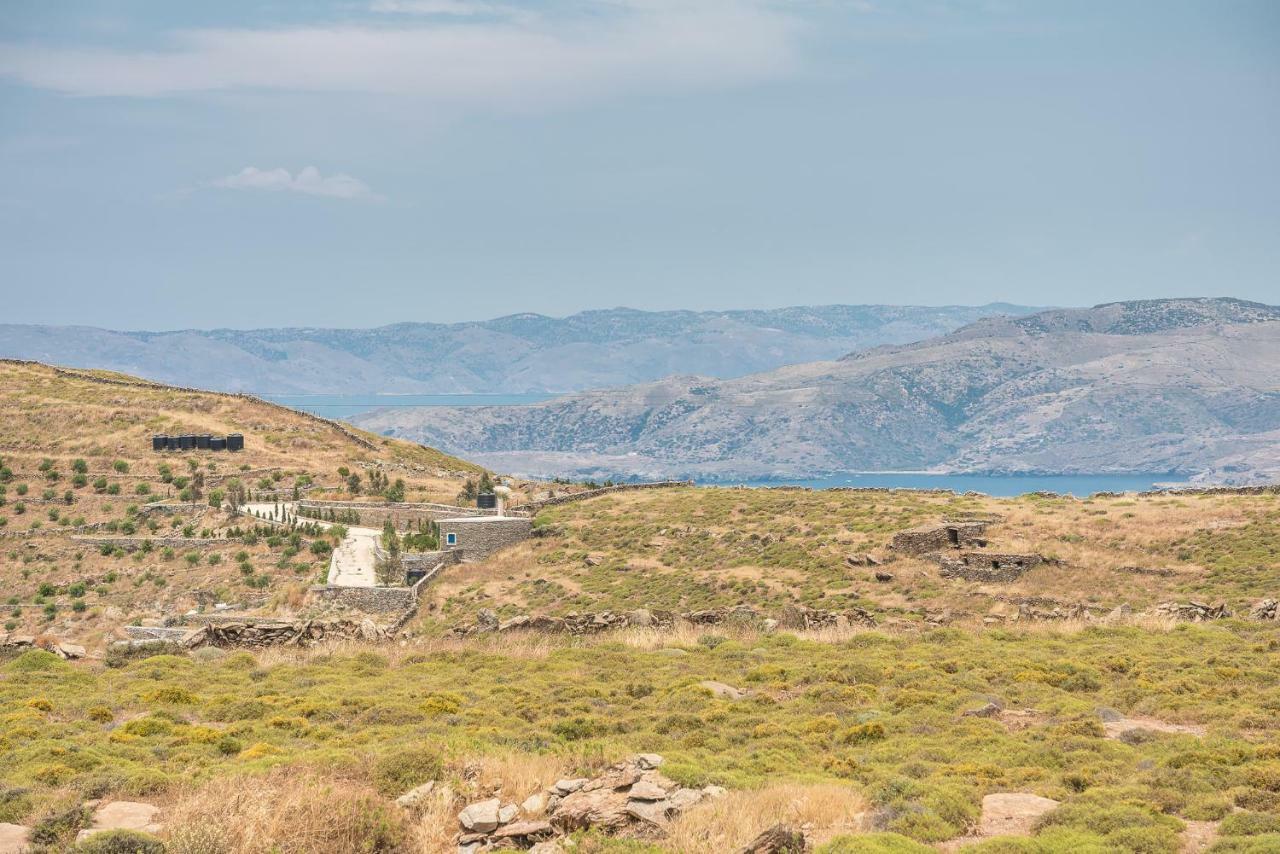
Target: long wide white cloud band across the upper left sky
pixel 520 63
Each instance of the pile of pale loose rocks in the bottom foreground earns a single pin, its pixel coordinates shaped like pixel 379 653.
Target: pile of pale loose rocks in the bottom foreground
pixel 630 798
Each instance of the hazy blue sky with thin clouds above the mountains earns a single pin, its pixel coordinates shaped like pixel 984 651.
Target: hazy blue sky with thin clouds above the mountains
pixel 360 163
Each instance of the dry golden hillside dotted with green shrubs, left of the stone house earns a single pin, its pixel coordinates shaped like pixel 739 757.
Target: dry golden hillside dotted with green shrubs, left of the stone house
pixel 76 462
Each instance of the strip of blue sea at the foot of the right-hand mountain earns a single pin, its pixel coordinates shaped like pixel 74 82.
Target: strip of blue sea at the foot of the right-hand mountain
pixel 998 486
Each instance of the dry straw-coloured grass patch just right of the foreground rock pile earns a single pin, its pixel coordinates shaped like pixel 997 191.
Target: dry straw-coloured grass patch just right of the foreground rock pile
pixel 730 823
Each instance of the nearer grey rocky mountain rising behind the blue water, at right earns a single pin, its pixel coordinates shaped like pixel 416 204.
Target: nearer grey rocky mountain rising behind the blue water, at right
pixel 1181 386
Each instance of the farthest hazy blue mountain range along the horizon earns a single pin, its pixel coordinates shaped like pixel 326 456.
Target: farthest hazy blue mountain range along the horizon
pixel 524 353
